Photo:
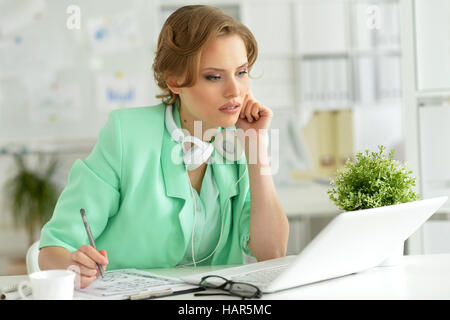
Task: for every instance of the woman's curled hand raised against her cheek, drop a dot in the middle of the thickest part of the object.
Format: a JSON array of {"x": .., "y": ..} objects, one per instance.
[{"x": 253, "y": 115}]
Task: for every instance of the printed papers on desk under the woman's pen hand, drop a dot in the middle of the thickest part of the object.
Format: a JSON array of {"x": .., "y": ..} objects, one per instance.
[{"x": 120, "y": 284}]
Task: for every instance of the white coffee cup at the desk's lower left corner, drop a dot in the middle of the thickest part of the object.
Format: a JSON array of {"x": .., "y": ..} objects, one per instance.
[{"x": 49, "y": 285}]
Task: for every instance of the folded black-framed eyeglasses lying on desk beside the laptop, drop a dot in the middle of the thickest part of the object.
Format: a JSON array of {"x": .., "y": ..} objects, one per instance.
[{"x": 236, "y": 289}]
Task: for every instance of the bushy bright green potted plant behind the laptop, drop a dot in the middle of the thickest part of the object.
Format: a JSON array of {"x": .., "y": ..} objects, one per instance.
[{"x": 374, "y": 179}]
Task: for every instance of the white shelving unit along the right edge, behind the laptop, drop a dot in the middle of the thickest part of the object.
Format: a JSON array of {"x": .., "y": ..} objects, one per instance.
[{"x": 426, "y": 102}]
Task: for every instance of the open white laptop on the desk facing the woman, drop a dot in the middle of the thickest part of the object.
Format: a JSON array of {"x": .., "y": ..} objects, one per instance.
[{"x": 352, "y": 242}]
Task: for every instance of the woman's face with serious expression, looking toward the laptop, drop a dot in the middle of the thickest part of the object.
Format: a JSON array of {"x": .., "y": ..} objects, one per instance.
[{"x": 222, "y": 78}]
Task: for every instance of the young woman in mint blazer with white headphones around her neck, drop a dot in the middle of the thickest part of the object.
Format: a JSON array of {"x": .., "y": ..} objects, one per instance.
[{"x": 145, "y": 208}]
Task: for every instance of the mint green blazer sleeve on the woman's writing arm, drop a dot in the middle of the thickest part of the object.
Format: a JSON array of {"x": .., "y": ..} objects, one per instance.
[{"x": 94, "y": 185}]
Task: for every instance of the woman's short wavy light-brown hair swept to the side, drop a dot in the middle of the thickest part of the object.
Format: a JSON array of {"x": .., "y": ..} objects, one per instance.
[{"x": 182, "y": 38}]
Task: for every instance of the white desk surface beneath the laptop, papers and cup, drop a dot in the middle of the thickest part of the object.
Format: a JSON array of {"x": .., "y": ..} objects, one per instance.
[{"x": 418, "y": 277}]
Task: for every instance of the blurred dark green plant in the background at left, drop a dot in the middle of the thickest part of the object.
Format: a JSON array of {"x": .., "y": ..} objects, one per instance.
[{"x": 31, "y": 195}]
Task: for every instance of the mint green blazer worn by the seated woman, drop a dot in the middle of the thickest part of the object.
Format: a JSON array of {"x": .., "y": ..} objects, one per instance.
[{"x": 138, "y": 201}]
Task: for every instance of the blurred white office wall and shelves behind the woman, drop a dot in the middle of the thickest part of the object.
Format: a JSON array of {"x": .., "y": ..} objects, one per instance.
[{"x": 340, "y": 75}]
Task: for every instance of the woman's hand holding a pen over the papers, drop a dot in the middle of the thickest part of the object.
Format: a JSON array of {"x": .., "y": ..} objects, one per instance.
[{"x": 85, "y": 260}]
